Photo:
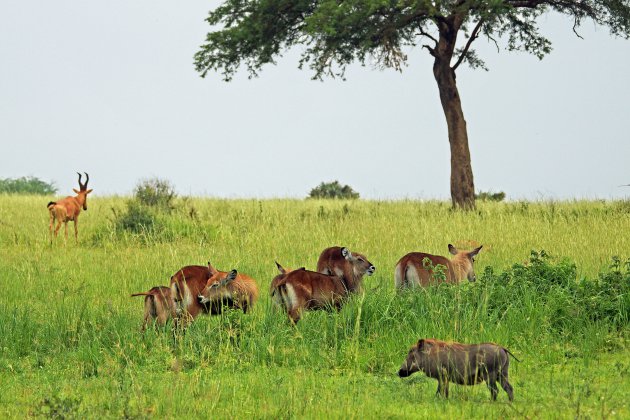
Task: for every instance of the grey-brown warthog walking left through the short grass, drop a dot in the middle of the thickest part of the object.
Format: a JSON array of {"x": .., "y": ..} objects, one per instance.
[{"x": 464, "y": 364}]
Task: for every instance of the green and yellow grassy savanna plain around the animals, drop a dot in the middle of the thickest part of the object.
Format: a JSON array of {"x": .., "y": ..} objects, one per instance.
[{"x": 69, "y": 332}]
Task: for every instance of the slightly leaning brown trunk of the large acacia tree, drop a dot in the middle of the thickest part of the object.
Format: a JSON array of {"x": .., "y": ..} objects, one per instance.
[{"x": 462, "y": 185}]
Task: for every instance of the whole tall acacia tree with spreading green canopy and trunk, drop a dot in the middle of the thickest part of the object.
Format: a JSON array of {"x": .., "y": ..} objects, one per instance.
[{"x": 335, "y": 33}]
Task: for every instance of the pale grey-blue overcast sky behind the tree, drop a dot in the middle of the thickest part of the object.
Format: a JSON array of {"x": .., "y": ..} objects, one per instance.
[{"x": 109, "y": 88}]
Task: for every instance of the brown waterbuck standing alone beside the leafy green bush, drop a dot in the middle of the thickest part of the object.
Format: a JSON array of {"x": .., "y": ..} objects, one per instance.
[{"x": 418, "y": 268}]
